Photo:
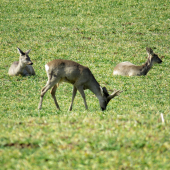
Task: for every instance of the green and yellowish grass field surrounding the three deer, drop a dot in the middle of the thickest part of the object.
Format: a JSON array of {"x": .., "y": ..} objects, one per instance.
[{"x": 99, "y": 34}]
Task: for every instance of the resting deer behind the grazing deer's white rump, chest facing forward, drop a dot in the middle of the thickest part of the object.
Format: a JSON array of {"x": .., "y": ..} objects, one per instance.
[{"x": 23, "y": 66}]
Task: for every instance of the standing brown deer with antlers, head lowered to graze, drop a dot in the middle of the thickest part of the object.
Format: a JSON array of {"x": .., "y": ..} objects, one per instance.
[{"x": 79, "y": 76}]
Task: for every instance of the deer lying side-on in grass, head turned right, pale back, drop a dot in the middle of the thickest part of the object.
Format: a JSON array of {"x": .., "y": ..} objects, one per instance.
[{"x": 128, "y": 69}]
